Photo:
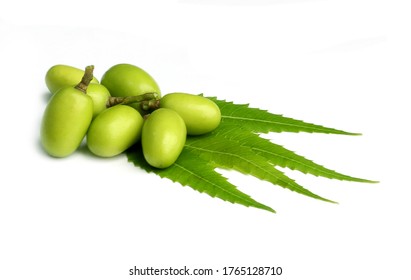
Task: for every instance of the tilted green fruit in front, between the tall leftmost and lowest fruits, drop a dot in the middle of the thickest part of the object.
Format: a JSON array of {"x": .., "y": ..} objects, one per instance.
[{"x": 114, "y": 130}]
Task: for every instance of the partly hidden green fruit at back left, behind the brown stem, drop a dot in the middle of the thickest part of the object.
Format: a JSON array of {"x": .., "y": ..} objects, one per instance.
[{"x": 59, "y": 76}]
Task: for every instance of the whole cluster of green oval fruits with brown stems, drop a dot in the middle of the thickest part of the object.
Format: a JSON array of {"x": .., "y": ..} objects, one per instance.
[{"x": 124, "y": 108}]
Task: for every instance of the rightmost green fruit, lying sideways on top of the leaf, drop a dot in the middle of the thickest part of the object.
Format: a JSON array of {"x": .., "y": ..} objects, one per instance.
[{"x": 200, "y": 114}]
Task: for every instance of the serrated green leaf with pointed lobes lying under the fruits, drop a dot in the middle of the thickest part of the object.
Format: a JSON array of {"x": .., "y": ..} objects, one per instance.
[{"x": 235, "y": 145}]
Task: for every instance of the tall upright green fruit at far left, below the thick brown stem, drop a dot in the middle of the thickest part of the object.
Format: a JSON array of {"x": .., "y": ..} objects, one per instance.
[{"x": 65, "y": 121}]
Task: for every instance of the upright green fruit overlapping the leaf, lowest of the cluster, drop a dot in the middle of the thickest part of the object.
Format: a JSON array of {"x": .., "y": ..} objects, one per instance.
[{"x": 163, "y": 137}]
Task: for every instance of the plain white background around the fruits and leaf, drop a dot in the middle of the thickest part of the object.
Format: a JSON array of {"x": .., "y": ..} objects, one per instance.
[{"x": 344, "y": 64}]
